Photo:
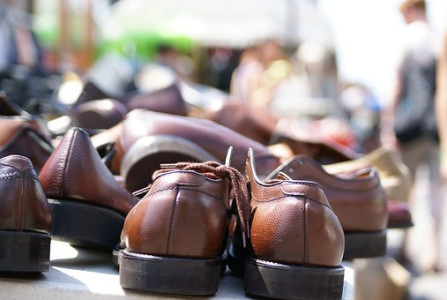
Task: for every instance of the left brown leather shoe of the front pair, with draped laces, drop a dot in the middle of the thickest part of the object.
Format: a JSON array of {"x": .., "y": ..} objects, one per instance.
[{"x": 175, "y": 237}]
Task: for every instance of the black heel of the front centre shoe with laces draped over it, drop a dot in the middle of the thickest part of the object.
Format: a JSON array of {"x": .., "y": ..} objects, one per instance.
[{"x": 158, "y": 274}]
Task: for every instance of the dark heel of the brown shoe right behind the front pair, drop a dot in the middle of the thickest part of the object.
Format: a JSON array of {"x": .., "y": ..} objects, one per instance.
[{"x": 364, "y": 244}]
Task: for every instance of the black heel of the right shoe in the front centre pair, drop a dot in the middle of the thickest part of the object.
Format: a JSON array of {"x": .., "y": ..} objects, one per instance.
[{"x": 274, "y": 280}]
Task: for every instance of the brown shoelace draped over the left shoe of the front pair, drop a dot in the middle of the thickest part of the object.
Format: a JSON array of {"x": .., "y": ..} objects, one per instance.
[{"x": 214, "y": 170}]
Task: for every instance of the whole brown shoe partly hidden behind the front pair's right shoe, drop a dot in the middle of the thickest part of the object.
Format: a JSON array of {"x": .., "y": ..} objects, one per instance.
[{"x": 358, "y": 200}]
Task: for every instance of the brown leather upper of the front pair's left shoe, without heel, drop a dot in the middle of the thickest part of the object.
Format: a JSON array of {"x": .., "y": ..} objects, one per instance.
[{"x": 184, "y": 214}]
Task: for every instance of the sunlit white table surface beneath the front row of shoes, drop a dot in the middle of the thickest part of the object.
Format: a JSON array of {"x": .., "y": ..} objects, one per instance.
[{"x": 78, "y": 273}]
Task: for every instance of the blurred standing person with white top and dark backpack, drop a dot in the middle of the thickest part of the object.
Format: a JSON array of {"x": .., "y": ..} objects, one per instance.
[{"x": 408, "y": 123}]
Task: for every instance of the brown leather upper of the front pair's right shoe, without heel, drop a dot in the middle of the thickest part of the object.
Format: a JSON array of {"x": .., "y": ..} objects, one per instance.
[{"x": 292, "y": 222}]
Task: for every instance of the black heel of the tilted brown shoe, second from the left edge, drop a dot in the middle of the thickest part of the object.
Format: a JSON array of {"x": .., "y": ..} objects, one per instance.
[{"x": 85, "y": 225}]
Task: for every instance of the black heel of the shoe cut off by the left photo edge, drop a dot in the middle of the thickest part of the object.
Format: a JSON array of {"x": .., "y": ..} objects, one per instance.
[{"x": 24, "y": 251}]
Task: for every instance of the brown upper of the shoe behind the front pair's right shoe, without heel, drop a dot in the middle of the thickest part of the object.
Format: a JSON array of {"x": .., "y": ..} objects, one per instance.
[{"x": 358, "y": 200}]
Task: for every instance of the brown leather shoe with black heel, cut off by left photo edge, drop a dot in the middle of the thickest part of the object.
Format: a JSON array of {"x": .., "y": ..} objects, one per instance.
[{"x": 25, "y": 221}]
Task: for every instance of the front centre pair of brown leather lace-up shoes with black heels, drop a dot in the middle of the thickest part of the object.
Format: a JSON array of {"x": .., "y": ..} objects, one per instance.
[{"x": 176, "y": 237}]
